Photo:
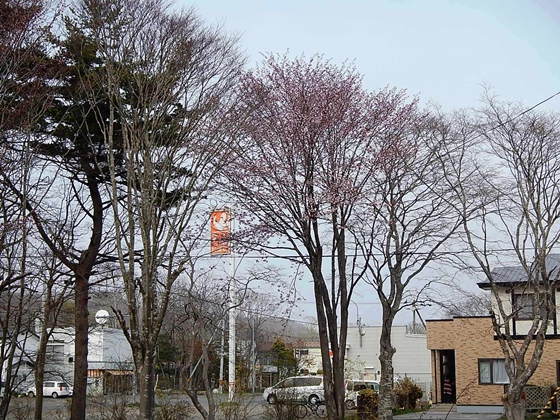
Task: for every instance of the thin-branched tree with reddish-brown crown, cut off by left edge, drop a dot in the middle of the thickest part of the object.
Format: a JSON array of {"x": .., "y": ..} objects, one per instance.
[{"x": 24, "y": 25}]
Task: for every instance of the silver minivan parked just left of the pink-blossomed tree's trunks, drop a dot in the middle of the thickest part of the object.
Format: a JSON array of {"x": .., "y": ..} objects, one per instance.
[{"x": 305, "y": 388}]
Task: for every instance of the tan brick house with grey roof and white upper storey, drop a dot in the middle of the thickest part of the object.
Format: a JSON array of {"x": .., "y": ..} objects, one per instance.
[{"x": 467, "y": 363}]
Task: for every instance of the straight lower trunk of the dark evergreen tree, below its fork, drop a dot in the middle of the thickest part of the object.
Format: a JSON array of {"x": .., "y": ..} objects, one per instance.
[{"x": 81, "y": 323}]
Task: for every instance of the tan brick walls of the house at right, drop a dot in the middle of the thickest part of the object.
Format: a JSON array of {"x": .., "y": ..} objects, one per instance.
[{"x": 473, "y": 339}]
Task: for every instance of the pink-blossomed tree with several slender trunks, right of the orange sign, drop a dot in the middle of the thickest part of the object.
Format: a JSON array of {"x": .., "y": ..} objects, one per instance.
[{"x": 301, "y": 168}]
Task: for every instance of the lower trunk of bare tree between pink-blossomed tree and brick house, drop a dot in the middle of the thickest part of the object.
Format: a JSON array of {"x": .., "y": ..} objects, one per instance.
[{"x": 386, "y": 351}]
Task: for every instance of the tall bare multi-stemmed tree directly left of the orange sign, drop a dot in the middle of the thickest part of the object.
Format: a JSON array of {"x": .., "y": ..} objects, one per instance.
[{"x": 169, "y": 80}]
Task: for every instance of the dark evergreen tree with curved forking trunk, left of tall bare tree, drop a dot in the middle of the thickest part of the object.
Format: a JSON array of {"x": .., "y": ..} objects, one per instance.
[{"x": 51, "y": 102}]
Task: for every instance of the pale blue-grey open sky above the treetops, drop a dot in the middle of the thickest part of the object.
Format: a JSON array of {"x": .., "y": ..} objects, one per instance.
[{"x": 444, "y": 51}]
